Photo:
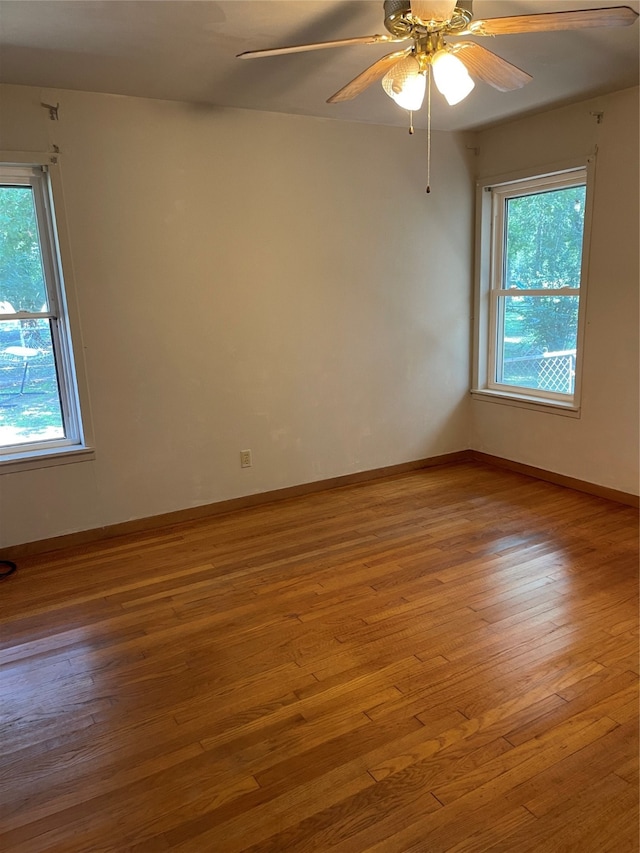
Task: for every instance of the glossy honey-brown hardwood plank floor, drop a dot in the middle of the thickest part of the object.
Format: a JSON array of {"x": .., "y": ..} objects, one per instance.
[{"x": 445, "y": 660}]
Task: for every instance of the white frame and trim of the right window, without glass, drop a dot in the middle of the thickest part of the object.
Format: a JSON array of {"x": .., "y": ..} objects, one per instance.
[{"x": 492, "y": 196}]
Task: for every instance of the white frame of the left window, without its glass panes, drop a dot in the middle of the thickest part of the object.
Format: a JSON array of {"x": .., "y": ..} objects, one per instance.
[{"x": 41, "y": 172}]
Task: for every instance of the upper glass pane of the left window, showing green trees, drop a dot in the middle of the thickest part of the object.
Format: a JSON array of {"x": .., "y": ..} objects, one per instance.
[{"x": 22, "y": 285}]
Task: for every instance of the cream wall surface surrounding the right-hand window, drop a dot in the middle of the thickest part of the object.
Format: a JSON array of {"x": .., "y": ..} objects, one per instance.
[{"x": 601, "y": 446}]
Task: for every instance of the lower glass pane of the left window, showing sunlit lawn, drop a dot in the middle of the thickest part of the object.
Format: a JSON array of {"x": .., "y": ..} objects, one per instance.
[{"x": 30, "y": 408}]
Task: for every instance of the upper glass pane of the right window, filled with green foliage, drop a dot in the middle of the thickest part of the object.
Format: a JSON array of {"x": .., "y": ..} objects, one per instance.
[{"x": 544, "y": 239}]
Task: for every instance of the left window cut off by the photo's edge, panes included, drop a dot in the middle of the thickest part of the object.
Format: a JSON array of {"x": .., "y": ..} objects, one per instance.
[{"x": 39, "y": 401}]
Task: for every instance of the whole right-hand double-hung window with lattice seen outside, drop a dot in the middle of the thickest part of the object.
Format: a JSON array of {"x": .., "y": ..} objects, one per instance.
[{"x": 531, "y": 274}]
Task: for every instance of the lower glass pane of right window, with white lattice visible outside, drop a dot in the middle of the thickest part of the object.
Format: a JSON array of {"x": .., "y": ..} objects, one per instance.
[{"x": 539, "y": 342}]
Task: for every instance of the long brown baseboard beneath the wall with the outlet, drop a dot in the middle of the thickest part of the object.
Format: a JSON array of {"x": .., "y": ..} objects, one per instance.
[{"x": 142, "y": 525}]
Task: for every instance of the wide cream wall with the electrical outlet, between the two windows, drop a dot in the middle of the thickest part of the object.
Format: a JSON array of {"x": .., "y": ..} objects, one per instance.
[{"x": 248, "y": 280}]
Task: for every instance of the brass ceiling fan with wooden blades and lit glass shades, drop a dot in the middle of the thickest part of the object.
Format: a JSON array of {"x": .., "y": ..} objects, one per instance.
[{"x": 426, "y": 23}]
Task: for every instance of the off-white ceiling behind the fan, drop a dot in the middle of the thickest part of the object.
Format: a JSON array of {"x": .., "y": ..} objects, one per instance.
[{"x": 184, "y": 50}]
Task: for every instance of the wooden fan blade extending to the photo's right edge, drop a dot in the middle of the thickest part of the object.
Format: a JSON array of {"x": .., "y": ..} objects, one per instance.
[{"x": 616, "y": 16}]
